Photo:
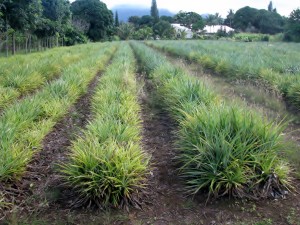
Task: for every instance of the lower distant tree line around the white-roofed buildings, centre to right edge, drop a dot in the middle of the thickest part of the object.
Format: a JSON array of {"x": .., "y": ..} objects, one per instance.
[{"x": 246, "y": 19}]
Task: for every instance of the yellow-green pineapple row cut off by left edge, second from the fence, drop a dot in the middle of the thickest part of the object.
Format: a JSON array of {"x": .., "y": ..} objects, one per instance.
[{"x": 25, "y": 124}]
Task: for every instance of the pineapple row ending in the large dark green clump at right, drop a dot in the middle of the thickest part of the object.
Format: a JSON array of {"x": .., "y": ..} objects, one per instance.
[{"x": 221, "y": 148}]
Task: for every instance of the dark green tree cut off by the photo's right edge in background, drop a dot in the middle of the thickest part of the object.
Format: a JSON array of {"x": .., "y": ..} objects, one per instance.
[{"x": 292, "y": 32}]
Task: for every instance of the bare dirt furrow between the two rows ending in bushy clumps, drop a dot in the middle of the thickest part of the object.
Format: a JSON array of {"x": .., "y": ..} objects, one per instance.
[{"x": 165, "y": 189}]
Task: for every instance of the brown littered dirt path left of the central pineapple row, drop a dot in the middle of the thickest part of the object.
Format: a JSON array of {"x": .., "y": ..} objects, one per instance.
[{"x": 41, "y": 186}]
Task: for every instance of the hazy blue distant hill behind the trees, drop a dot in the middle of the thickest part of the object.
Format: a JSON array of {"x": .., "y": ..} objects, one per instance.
[{"x": 125, "y": 11}]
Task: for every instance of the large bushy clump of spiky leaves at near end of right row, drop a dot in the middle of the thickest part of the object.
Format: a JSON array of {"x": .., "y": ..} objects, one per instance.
[{"x": 229, "y": 151}]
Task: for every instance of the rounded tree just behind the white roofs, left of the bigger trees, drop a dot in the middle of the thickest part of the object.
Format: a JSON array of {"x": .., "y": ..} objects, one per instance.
[{"x": 189, "y": 19}]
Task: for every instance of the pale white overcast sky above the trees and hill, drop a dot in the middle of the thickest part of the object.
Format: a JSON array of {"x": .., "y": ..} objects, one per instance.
[{"x": 284, "y": 7}]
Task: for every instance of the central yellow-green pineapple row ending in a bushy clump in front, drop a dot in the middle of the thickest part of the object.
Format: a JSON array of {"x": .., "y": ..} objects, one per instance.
[{"x": 107, "y": 165}]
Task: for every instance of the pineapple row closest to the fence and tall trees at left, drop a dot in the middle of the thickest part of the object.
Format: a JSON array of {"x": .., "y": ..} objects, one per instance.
[{"x": 23, "y": 74}]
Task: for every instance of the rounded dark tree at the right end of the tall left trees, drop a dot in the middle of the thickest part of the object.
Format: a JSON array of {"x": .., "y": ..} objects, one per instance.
[{"x": 96, "y": 15}]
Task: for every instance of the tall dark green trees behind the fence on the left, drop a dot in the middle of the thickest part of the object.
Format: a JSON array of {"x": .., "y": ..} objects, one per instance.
[{"x": 27, "y": 25}]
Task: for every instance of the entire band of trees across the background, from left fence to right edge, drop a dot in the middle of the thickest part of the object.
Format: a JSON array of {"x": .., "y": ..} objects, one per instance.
[{"x": 27, "y": 25}]
